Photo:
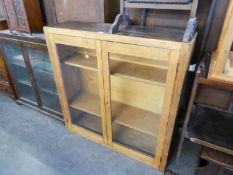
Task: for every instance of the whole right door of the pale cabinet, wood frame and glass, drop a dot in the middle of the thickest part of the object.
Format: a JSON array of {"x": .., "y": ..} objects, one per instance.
[{"x": 138, "y": 86}]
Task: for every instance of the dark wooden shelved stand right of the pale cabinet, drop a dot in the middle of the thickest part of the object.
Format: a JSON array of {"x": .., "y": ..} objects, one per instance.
[{"x": 202, "y": 98}]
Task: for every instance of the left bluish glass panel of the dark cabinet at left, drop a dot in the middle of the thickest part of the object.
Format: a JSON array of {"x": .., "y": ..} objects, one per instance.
[{"x": 18, "y": 72}]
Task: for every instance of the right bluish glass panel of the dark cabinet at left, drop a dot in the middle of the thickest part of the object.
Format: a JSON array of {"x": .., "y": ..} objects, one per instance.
[{"x": 43, "y": 75}]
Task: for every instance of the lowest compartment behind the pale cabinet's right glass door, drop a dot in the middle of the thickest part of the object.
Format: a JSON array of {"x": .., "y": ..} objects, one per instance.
[{"x": 134, "y": 139}]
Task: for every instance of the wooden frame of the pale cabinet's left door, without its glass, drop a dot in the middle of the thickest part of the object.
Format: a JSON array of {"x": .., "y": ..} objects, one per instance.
[{"x": 52, "y": 40}]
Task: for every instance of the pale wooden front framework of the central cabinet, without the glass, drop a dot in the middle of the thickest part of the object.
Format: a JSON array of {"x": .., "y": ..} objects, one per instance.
[{"x": 177, "y": 54}]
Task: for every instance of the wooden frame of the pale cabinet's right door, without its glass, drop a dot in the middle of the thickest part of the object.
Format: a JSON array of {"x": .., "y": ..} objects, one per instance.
[{"x": 173, "y": 58}]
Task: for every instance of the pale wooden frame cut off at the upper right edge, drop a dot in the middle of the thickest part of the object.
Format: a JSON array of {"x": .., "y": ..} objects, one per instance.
[{"x": 223, "y": 52}]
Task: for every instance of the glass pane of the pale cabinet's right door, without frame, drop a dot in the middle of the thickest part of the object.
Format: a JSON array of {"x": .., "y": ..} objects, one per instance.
[{"x": 137, "y": 93}]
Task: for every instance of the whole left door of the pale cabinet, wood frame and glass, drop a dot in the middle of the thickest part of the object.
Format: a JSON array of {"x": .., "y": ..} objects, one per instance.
[{"x": 79, "y": 63}]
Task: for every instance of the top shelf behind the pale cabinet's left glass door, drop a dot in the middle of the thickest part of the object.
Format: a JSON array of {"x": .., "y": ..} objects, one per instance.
[{"x": 83, "y": 61}]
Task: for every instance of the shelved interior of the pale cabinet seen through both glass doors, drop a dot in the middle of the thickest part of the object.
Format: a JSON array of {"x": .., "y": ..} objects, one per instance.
[{"x": 137, "y": 88}]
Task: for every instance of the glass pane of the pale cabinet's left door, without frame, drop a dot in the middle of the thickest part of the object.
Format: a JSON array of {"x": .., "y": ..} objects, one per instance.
[{"x": 80, "y": 76}]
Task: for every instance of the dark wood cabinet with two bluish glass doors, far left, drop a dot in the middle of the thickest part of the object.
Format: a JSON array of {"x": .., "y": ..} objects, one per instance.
[{"x": 30, "y": 69}]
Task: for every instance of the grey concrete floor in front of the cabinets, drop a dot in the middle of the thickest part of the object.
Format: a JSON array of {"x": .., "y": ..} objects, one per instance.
[{"x": 33, "y": 143}]
